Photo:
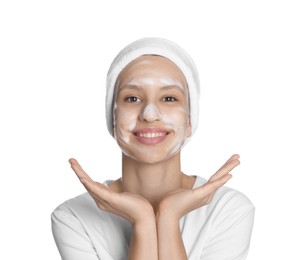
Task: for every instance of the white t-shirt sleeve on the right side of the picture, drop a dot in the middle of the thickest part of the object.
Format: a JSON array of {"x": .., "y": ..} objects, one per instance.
[{"x": 232, "y": 229}]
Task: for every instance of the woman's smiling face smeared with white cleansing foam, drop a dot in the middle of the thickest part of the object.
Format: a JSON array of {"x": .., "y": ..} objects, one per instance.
[{"x": 151, "y": 114}]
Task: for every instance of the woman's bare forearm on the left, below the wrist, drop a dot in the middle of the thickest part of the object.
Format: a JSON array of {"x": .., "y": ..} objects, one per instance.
[{"x": 144, "y": 241}]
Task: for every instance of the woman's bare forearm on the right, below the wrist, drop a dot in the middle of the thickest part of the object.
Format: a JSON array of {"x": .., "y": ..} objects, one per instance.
[{"x": 170, "y": 243}]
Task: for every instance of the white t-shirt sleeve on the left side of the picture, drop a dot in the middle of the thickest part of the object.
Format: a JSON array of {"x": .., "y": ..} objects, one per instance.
[{"x": 70, "y": 236}]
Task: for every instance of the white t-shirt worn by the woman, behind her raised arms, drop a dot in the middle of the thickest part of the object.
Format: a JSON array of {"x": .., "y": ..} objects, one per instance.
[{"x": 220, "y": 230}]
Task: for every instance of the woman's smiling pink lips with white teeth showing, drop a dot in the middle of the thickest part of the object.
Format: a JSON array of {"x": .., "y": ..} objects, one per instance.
[{"x": 150, "y": 135}]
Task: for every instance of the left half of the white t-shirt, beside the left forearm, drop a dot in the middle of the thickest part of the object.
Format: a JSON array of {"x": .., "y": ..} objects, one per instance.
[{"x": 82, "y": 231}]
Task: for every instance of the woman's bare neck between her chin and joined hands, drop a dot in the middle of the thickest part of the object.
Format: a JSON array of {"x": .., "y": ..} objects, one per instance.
[{"x": 152, "y": 181}]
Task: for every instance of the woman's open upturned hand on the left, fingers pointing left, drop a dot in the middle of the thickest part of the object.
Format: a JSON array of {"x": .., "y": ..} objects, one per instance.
[{"x": 131, "y": 207}]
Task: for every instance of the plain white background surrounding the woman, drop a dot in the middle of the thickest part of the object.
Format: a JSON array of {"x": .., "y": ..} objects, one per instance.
[{"x": 54, "y": 56}]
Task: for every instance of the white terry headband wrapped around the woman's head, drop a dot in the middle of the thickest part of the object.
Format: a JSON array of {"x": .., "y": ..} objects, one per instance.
[{"x": 161, "y": 47}]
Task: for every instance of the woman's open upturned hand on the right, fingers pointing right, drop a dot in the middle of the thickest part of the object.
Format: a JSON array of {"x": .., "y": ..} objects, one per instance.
[{"x": 180, "y": 202}]
